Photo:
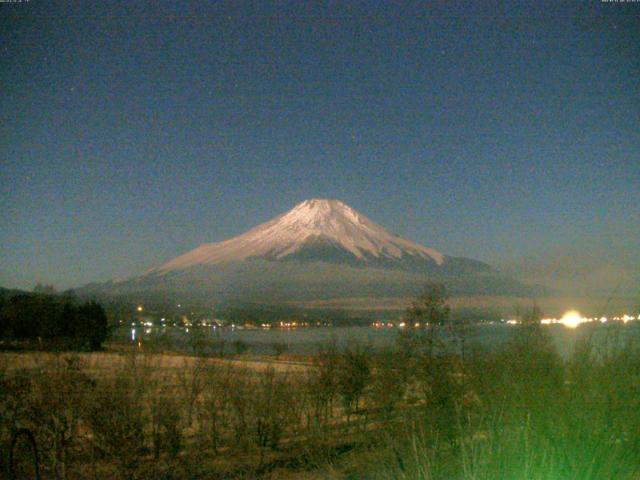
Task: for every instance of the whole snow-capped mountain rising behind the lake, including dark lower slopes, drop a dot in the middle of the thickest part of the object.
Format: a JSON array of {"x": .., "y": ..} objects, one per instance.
[{"x": 319, "y": 249}]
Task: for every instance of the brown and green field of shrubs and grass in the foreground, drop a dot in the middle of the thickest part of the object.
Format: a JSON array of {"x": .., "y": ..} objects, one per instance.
[{"x": 421, "y": 410}]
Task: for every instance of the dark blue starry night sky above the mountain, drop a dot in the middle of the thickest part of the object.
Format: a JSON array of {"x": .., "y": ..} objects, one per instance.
[{"x": 132, "y": 132}]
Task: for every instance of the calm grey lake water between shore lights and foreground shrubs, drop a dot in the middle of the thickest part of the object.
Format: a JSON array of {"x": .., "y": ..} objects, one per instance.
[{"x": 306, "y": 341}]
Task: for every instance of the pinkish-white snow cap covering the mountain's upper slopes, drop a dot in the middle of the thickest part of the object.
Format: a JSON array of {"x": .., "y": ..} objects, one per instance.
[{"x": 310, "y": 224}]
